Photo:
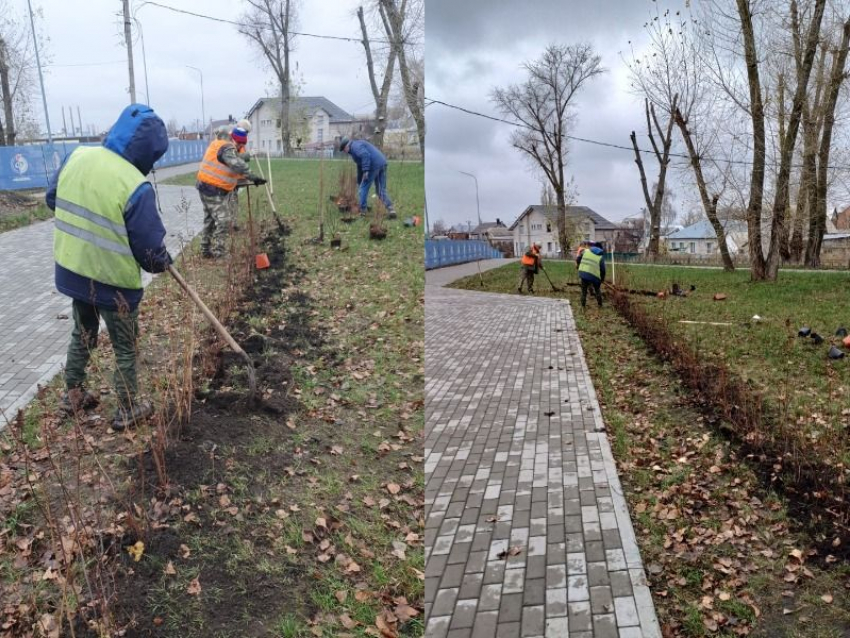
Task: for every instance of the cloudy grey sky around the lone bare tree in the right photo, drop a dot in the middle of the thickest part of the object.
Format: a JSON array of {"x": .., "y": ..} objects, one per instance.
[{"x": 475, "y": 45}]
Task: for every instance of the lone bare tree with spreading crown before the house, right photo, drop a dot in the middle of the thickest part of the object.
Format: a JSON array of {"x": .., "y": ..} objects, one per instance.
[{"x": 543, "y": 107}]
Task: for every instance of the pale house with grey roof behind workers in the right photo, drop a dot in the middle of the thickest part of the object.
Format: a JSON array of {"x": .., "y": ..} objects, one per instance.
[{"x": 537, "y": 224}]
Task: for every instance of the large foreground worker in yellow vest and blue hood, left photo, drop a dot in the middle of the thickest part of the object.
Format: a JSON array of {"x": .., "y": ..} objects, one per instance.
[{"x": 107, "y": 226}]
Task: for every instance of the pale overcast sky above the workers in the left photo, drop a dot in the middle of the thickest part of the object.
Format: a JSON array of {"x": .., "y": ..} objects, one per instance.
[{"x": 234, "y": 76}]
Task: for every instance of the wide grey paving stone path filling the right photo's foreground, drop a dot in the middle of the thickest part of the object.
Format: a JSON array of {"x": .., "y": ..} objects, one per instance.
[{"x": 516, "y": 457}]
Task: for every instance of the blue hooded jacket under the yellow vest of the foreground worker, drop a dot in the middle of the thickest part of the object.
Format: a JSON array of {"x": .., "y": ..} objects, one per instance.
[{"x": 140, "y": 137}]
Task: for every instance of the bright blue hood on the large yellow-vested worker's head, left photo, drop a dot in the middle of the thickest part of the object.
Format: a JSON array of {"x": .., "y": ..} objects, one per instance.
[{"x": 139, "y": 136}]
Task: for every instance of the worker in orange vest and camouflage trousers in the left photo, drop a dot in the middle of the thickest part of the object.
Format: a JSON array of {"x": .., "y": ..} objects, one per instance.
[{"x": 221, "y": 169}]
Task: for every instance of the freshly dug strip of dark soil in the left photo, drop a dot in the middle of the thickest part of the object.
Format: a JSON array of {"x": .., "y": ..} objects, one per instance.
[{"x": 217, "y": 438}]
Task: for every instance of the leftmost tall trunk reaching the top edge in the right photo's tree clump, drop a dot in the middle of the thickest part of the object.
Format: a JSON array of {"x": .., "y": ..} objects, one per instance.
[{"x": 754, "y": 208}]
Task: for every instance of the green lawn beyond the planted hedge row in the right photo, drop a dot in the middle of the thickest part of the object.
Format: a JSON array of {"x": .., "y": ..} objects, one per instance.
[{"x": 766, "y": 353}]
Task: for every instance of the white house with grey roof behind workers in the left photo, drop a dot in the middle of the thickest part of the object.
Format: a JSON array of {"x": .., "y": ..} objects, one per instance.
[{"x": 316, "y": 122}]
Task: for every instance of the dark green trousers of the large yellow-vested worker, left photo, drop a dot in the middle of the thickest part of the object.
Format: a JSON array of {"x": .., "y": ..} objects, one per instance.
[{"x": 123, "y": 327}]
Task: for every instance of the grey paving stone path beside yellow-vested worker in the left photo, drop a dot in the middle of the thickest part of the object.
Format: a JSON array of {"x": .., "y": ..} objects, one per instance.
[{"x": 35, "y": 319}]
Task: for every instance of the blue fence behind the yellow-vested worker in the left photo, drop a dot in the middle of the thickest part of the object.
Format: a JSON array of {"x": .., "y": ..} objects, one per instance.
[{"x": 23, "y": 167}]
